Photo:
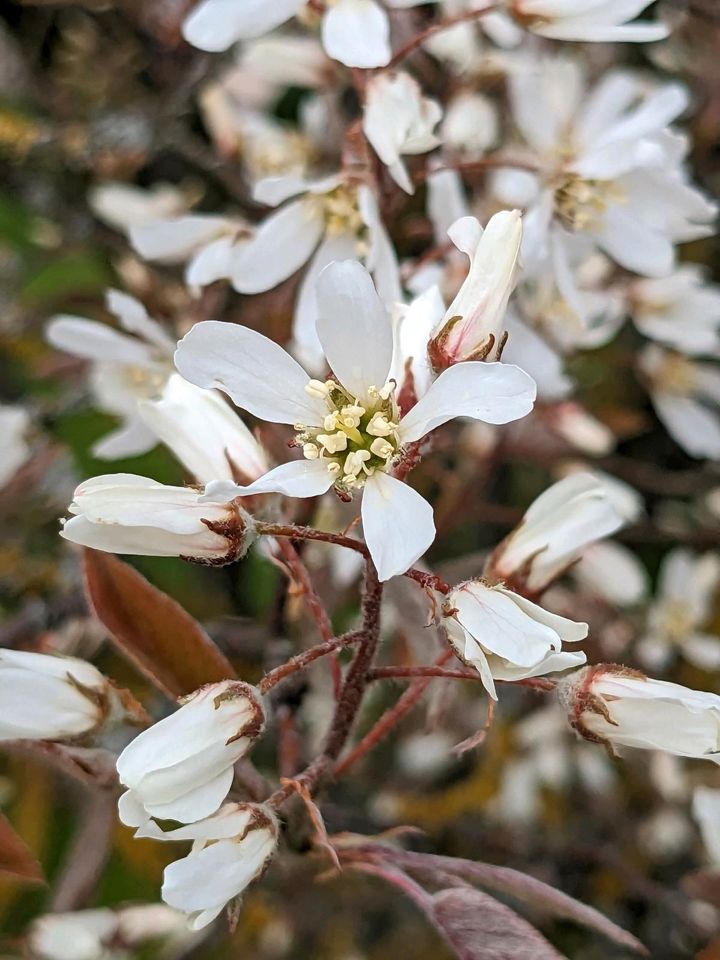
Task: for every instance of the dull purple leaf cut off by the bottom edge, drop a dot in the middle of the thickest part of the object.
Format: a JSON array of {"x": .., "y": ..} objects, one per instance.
[{"x": 478, "y": 927}]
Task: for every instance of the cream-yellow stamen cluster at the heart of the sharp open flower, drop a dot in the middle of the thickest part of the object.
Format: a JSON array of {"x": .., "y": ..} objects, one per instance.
[{"x": 359, "y": 435}]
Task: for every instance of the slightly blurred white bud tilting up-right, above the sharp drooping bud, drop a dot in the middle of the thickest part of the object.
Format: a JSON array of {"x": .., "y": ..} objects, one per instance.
[{"x": 568, "y": 516}]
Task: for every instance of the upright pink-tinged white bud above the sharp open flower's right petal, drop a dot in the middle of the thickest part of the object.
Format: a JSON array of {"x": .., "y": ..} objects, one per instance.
[{"x": 473, "y": 325}]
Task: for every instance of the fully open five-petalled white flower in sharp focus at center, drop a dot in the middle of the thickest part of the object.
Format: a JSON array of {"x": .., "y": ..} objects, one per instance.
[{"x": 349, "y": 428}]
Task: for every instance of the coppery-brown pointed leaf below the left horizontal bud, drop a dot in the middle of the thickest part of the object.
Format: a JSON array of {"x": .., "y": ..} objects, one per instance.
[{"x": 162, "y": 640}]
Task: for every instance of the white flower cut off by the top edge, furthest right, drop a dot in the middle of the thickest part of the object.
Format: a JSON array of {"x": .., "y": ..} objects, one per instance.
[{"x": 588, "y": 20}]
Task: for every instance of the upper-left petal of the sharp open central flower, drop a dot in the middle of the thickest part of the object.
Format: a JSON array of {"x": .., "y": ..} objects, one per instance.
[{"x": 254, "y": 371}]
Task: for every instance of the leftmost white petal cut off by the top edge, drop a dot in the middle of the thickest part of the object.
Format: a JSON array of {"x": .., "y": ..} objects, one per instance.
[{"x": 216, "y": 24}]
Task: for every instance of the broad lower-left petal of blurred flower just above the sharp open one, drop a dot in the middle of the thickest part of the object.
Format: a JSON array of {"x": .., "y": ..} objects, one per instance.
[{"x": 282, "y": 244}]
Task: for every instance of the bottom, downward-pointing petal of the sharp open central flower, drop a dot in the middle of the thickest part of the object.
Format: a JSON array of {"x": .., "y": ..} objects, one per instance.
[{"x": 397, "y": 523}]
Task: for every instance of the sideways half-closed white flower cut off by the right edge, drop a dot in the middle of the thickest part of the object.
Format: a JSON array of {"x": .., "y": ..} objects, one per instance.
[{"x": 621, "y": 707}]
